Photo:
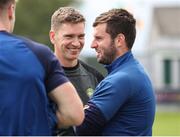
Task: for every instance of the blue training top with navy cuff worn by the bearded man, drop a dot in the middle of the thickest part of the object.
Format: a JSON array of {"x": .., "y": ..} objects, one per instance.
[{"x": 123, "y": 104}]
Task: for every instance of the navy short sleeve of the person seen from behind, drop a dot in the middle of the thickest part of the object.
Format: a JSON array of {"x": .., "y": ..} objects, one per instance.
[{"x": 54, "y": 73}]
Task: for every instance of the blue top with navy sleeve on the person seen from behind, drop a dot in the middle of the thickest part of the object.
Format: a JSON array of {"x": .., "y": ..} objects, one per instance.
[{"x": 28, "y": 72}]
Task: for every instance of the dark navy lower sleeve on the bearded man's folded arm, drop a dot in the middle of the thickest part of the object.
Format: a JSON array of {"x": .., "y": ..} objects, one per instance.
[{"x": 93, "y": 123}]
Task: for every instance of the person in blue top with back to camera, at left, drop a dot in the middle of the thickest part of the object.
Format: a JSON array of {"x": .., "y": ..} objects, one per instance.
[{"x": 31, "y": 76}]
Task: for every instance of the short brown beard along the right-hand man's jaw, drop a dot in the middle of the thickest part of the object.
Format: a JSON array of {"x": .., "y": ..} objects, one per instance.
[{"x": 109, "y": 54}]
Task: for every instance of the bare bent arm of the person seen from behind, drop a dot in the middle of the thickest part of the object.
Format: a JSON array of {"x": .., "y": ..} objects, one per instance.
[{"x": 70, "y": 108}]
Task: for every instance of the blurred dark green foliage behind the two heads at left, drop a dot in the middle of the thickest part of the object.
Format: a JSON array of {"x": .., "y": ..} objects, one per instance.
[{"x": 33, "y": 18}]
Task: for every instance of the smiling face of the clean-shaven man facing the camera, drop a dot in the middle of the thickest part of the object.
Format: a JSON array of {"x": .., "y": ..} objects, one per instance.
[{"x": 68, "y": 42}]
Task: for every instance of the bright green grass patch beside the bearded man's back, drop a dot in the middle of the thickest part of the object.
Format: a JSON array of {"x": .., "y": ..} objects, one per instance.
[{"x": 167, "y": 124}]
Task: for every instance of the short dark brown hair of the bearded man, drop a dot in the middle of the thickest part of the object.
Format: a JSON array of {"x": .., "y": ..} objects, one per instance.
[{"x": 119, "y": 21}]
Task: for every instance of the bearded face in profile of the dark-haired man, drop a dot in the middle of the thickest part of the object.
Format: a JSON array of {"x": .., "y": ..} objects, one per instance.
[{"x": 104, "y": 45}]
